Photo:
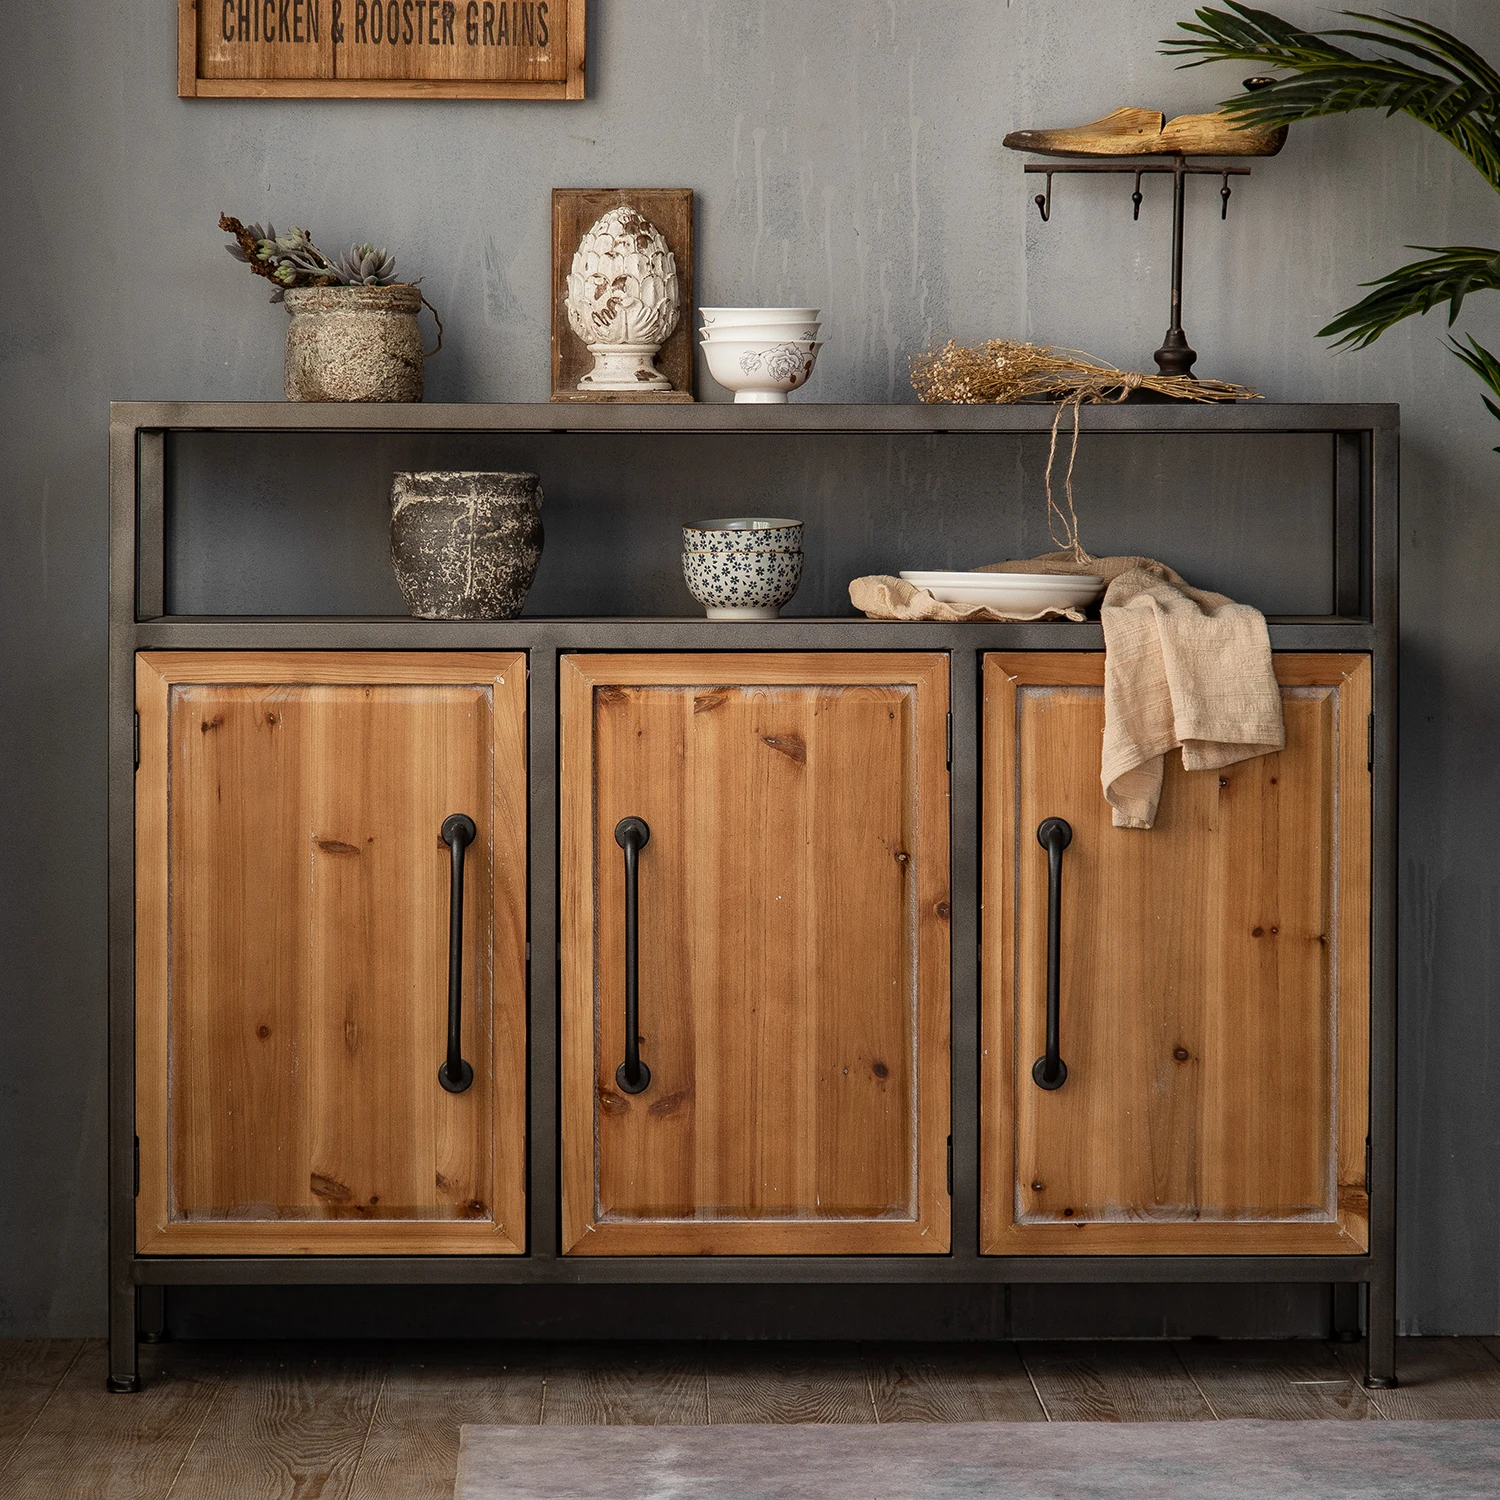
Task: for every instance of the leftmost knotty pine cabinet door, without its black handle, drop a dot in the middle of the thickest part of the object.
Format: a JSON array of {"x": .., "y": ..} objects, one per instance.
[{"x": 293, "y": 953}]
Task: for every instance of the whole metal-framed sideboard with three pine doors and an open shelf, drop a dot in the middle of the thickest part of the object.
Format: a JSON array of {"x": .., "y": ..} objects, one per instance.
[{"x": 619, "y": 949}]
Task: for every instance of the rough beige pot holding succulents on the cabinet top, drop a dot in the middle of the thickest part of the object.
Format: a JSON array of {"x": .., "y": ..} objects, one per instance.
[{"x": 355, "y": 344}]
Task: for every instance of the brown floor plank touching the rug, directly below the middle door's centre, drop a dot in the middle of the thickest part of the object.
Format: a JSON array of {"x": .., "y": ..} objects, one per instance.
[{"x": 788, "y": 1384}]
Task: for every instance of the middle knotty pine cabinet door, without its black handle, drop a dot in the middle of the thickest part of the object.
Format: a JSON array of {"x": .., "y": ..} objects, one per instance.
[{"x": 793, "y": 955}]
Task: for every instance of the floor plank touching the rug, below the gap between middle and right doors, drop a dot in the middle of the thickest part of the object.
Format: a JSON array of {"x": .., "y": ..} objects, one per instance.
[{"x": 946, "y": 1384}]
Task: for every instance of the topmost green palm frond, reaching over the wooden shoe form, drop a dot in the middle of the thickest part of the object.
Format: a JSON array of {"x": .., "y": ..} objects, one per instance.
[{"x": 1423, "y": 71}]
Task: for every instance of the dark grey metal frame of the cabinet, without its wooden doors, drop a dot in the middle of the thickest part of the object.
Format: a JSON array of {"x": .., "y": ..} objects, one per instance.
[{"x": 1363, "y": 488}]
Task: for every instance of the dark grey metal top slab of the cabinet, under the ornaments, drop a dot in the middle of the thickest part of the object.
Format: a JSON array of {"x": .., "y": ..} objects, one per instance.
[{"x": 1246, "y": 416}]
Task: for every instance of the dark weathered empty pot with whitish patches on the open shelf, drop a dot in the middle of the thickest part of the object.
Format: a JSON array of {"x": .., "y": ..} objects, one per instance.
[{"x": 466, "y": 547}]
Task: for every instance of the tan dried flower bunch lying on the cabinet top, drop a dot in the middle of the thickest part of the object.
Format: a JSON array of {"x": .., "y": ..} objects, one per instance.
[{"x": 1006, "y": 371}]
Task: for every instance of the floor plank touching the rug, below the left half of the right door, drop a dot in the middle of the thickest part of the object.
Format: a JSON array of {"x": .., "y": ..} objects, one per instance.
[{"x": 1124, "y": 1382}]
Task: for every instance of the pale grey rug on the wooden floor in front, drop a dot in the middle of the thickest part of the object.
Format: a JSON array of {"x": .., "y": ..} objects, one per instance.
[{"x": 988, "y": 1460}]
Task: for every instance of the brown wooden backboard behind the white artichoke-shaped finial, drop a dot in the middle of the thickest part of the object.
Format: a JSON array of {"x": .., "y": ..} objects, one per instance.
[{"x": 575, "y": 211}]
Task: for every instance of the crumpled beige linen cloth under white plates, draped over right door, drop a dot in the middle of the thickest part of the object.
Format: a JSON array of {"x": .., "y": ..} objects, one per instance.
[{"x": 1183, "y": 668}]
